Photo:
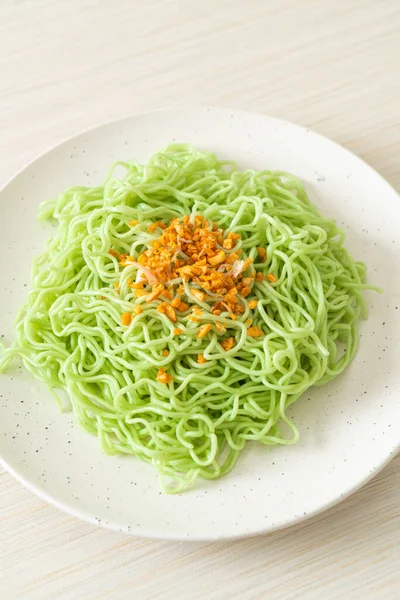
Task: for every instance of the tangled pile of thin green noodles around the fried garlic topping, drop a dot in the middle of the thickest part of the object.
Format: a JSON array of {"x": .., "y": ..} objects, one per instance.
[{"x": 70, "y": 336}]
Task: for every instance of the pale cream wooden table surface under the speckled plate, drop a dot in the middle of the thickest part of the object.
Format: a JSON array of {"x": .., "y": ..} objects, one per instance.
[{"x": 331, "y": 65}]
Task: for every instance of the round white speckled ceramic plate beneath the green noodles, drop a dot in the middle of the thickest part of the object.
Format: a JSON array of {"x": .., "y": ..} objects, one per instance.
[{"x": 349, "y": 429}]
